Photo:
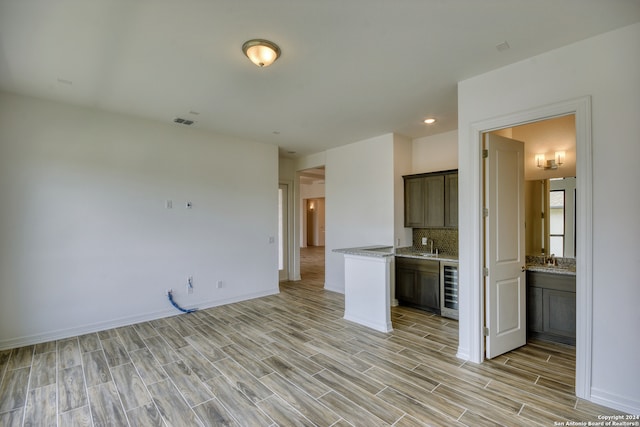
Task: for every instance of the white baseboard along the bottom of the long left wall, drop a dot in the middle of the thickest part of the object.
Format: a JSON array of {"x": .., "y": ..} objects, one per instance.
[{"x": 123, "y": 321}]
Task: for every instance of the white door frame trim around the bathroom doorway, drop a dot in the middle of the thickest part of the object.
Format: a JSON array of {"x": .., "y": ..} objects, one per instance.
[{"x": 581, "y": 108}]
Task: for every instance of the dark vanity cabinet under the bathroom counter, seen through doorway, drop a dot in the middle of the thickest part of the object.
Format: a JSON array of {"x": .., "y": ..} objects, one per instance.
[{"x": 551, "y": 307}]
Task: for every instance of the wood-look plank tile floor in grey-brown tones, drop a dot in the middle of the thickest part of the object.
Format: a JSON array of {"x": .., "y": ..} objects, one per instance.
[{"x": 290, "y": 360}]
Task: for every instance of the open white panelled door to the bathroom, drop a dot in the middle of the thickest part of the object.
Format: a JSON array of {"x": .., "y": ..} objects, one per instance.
[{"x": 505, "y": 288}]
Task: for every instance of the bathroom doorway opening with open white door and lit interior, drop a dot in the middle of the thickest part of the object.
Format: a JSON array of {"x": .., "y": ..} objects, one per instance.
[{"x": 546, "y": 216}]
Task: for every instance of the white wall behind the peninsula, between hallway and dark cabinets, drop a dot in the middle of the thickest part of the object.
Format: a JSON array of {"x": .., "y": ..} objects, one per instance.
[{"x": 359, "y": 201}]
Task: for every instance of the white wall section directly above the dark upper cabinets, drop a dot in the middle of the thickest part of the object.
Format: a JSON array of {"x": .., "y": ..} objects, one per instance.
[{"x": 435, "y": 153}]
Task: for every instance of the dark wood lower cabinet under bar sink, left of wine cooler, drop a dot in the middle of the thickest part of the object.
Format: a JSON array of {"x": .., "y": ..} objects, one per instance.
[{"x": 418, "y": 283}]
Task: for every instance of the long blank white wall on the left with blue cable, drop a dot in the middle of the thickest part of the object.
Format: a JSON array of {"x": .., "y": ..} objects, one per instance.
[{"x": 86, "y": 241}]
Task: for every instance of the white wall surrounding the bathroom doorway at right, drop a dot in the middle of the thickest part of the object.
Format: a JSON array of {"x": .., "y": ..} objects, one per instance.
[{"x": 607, "y": 69}]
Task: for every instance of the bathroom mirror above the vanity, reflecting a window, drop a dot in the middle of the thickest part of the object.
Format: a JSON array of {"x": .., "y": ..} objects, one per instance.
[{"x": 551, "y": 217}]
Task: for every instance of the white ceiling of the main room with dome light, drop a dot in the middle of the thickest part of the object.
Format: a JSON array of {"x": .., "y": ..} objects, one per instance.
[{"x": 349, "y": 70}]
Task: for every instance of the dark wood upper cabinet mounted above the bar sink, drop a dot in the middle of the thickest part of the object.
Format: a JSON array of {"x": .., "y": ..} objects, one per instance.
[{"x": 431, "y": 200}]
